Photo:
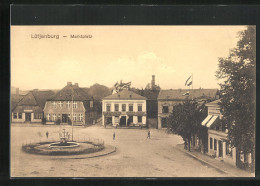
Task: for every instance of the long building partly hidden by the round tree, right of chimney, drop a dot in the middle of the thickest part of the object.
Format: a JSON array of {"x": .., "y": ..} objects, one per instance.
[{"x": 167, "y": 99}]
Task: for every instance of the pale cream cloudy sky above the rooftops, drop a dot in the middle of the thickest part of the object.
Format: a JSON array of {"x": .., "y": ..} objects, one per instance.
[{"x": 114, "y": 53}]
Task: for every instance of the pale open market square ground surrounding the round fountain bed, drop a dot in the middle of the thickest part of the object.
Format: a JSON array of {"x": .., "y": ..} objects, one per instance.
[{"x": 136, "y": 155}]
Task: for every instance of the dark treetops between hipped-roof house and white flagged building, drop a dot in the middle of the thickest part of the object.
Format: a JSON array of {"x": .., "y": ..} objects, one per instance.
[{"x": 98, "y": 91}]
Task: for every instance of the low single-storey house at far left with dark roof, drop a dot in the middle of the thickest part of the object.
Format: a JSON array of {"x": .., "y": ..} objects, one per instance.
[{"x": 30, "y": 107}]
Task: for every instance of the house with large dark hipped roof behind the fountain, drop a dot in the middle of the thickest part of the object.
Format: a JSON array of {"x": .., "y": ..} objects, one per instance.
[{"x": 71, "y": 102}]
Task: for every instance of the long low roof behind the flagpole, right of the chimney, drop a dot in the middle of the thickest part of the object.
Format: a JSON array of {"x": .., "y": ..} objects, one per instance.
[{"x": 177, "y": 94}]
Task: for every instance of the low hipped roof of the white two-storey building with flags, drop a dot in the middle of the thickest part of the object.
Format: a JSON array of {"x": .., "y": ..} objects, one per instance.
[{"x": 125, "y": 95}]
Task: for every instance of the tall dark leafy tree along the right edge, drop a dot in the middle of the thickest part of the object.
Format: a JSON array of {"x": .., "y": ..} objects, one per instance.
[{"x": 238, "y": 71}]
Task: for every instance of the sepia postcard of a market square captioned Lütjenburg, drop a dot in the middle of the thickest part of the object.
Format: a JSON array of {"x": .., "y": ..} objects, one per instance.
[{"x": 132, "y": 101}]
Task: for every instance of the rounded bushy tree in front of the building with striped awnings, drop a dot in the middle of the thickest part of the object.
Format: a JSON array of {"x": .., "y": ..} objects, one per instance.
[{"x": 186, "y": 120}]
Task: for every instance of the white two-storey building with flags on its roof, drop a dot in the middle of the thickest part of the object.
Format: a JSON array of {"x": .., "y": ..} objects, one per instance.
[{"x": 125, "y": 108}]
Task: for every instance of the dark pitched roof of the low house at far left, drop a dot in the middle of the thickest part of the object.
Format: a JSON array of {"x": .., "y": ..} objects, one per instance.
[{"x": 35, "y": 98}]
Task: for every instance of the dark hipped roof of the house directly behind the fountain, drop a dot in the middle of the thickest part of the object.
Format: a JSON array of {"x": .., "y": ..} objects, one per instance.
[{"x": 66, "y": 94}]
